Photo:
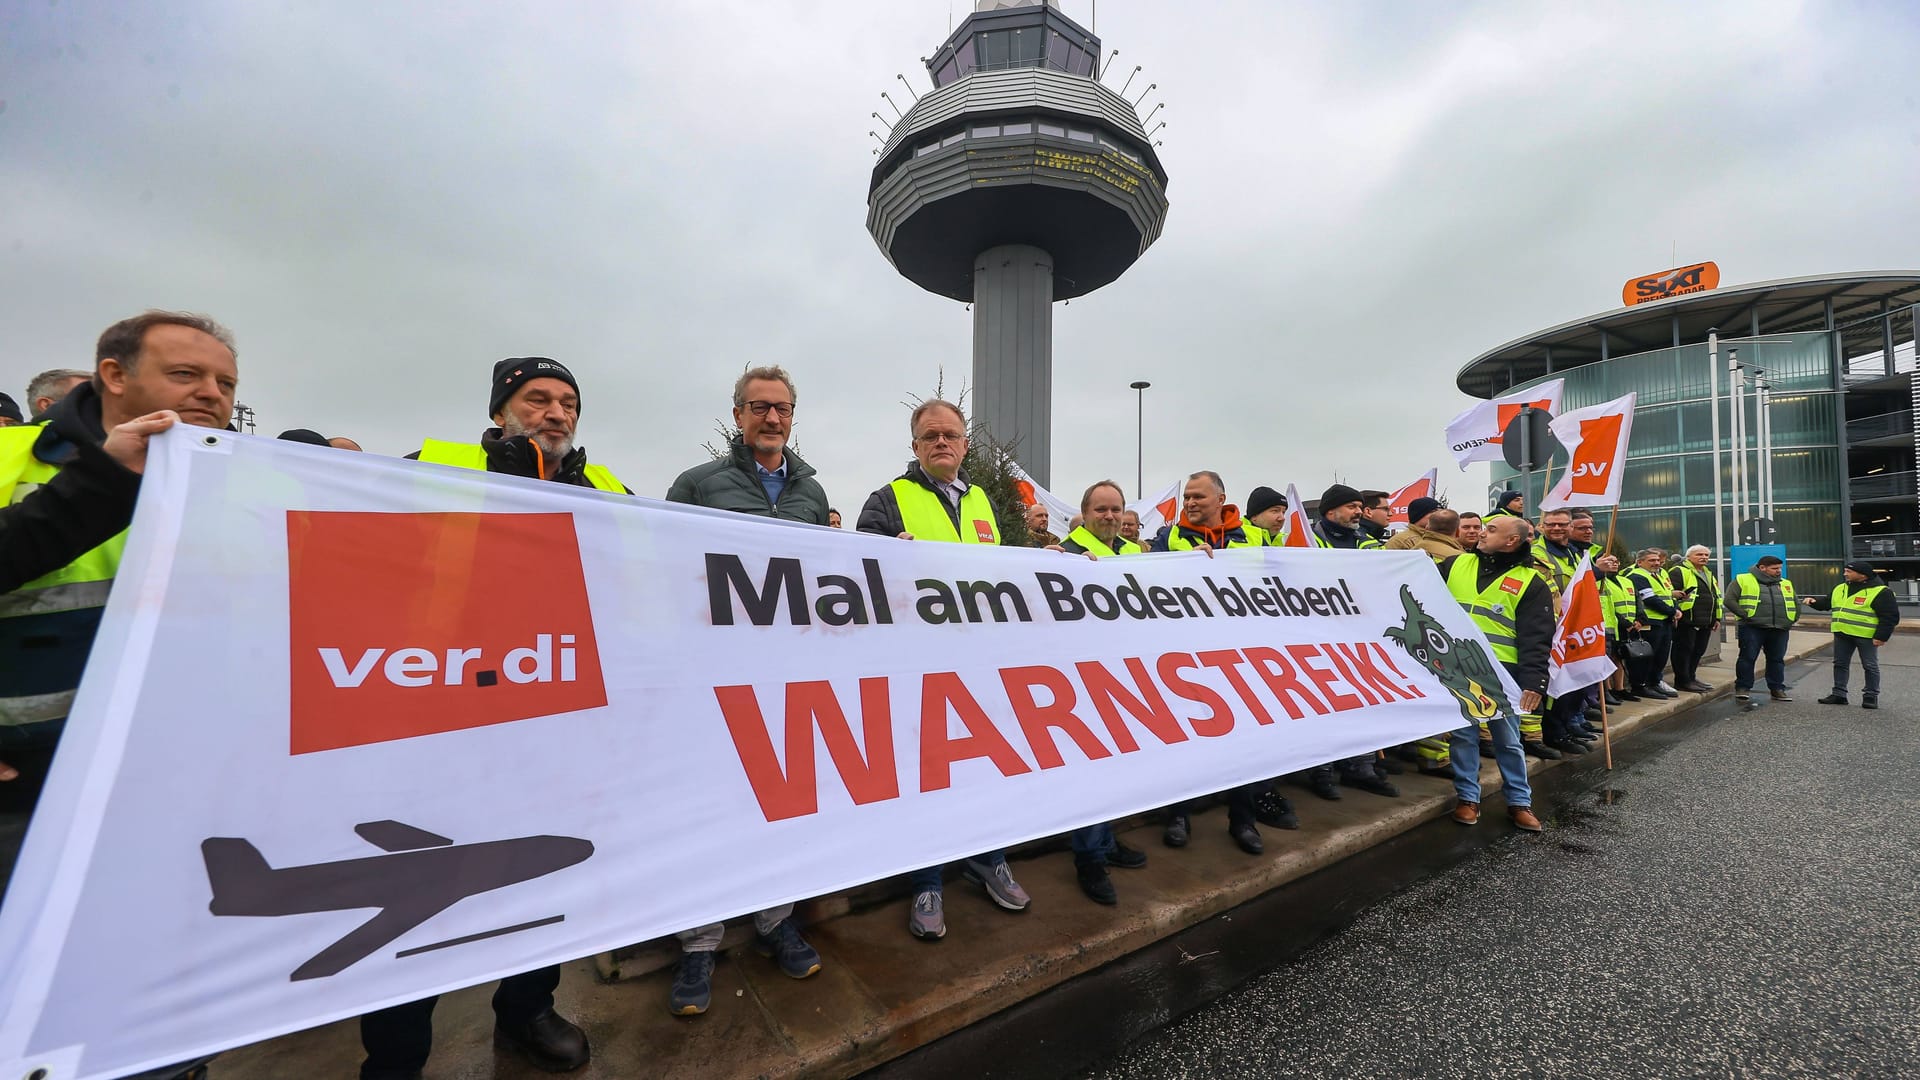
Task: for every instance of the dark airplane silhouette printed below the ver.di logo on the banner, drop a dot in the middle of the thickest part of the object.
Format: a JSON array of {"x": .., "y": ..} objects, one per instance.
[{"x": 420, "y": 877}]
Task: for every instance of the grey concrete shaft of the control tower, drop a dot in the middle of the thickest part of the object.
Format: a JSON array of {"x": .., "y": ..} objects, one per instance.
[{"x": 1015, "y": 353}]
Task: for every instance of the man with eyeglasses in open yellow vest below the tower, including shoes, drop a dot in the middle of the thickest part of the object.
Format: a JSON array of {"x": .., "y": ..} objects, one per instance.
[{"x": 934, "y": 501}]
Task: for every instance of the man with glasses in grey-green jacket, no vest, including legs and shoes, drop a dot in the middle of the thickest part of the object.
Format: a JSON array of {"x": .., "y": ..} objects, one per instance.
[{"x": 759, "y": 476}]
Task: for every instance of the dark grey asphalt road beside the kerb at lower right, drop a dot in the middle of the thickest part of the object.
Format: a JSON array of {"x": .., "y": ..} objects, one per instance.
[{"x": 1744, "y": 902}]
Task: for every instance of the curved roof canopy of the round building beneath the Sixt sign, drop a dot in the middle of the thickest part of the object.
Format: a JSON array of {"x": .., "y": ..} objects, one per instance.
[{"x": 1769, "y": 308}]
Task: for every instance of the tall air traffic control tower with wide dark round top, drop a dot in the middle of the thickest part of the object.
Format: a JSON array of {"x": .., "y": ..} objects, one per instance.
[{"x": 1020, "y": 180}]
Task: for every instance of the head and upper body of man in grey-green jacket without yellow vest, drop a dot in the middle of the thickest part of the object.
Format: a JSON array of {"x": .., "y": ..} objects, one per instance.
[{"x": 759, "y": 474}]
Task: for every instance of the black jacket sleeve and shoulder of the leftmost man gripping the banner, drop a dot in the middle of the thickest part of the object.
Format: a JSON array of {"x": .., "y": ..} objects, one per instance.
[{"x": 84, "y": 506}]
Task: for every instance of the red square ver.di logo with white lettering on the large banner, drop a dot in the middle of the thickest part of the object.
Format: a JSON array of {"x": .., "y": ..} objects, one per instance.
[{"x": 423, "y": 624}]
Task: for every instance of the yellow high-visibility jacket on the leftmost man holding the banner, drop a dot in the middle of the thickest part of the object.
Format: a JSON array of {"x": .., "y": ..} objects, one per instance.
[{"x": 51, "y": 622}]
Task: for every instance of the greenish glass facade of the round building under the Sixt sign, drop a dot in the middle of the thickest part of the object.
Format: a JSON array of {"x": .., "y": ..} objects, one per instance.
[{"x": 1668, "y": 499}]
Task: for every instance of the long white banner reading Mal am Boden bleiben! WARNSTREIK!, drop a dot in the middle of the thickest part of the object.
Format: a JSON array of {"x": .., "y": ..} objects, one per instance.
[{"x": 358, "y": 729}]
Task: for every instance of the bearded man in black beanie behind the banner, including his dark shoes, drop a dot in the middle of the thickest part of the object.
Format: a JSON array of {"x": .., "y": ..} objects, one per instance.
[{"x": 537, "y": 406}]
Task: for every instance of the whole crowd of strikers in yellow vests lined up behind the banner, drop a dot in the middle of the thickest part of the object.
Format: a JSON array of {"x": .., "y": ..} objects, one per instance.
[{"x": 72, "y": 472}]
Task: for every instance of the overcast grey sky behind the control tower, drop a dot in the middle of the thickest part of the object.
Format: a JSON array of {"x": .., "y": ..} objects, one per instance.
[{"x": 385, "y": 199}]
